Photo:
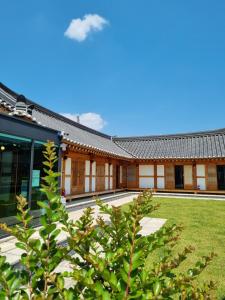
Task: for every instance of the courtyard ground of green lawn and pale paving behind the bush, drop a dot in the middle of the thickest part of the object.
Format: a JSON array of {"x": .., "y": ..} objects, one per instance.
[{"x": 203, "y": 221}]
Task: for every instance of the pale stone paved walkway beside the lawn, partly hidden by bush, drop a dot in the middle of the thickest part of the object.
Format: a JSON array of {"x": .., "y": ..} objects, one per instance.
[{"x": 8, "y": 248}]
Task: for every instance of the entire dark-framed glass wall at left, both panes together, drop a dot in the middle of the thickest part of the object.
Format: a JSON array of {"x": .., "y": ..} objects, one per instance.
[{"x": 15, "y": 179}]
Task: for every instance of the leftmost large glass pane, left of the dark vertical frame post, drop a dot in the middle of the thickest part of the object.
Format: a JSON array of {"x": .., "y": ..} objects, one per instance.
[{"x": 14, "y": 172}]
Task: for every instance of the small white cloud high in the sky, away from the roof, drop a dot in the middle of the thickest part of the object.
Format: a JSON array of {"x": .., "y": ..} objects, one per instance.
[{"x": 80, "y": 28}]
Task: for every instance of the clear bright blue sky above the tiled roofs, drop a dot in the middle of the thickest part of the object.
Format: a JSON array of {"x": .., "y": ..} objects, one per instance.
[{"x": 153, "y": 67}]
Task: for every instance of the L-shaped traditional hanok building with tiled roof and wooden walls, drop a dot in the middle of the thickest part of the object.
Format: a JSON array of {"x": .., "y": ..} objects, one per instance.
[{"x": 94, "y": 163}]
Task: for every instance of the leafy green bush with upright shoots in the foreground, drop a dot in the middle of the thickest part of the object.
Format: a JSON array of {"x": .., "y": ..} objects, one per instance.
[{"x": 107, "y": 256}]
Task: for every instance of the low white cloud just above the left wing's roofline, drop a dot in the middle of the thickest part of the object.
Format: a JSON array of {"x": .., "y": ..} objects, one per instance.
[{"x": 90, "y": 119}]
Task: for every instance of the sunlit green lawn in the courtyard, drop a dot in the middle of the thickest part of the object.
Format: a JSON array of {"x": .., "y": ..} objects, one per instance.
[{"x": 204, "y": 228}]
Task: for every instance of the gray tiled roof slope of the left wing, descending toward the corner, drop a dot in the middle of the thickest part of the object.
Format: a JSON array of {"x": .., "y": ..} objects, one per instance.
[{"x": 75, "y": 132}]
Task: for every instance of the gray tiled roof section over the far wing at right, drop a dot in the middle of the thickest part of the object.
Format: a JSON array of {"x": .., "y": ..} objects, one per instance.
[{"x": 208, "y": 144}]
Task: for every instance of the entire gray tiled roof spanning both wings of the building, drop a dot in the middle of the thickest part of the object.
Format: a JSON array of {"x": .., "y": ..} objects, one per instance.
[{"x": 207, "y": 144}]
